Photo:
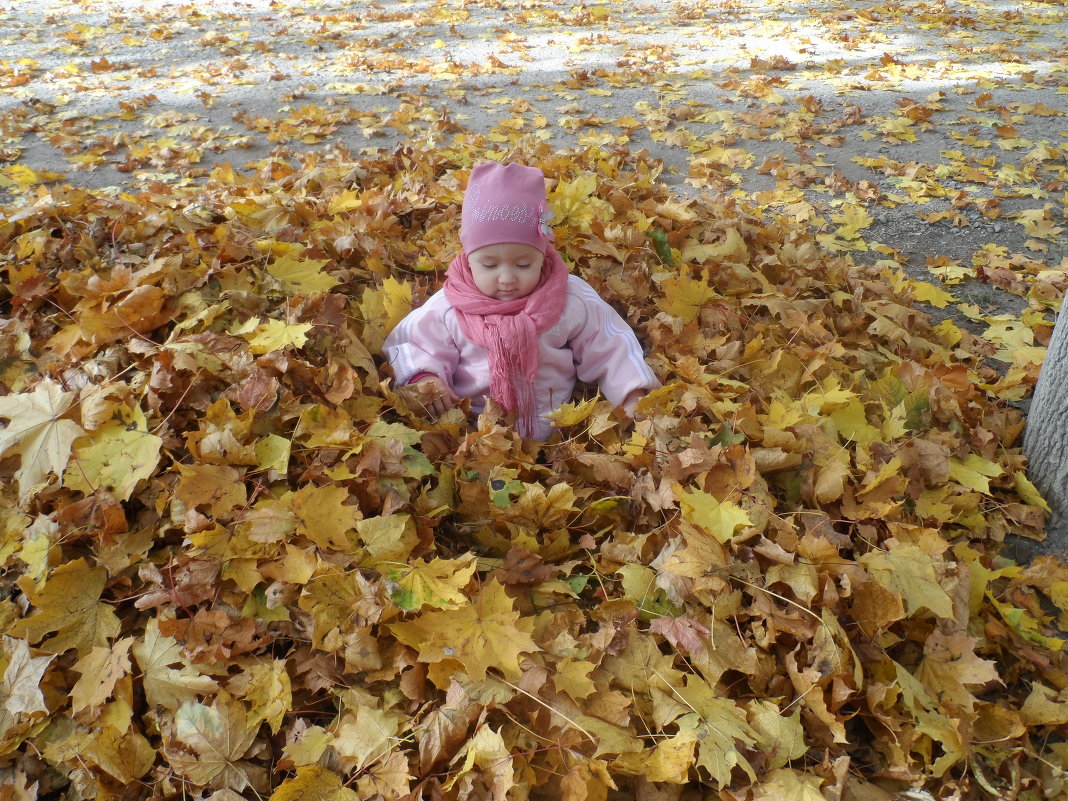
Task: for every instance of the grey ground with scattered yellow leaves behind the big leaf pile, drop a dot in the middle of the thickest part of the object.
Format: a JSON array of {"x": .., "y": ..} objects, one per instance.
[{"x": 923, "y": 136}]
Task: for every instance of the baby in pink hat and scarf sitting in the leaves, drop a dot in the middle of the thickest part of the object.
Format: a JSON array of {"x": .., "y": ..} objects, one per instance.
[{"x": 511, "y": 323}]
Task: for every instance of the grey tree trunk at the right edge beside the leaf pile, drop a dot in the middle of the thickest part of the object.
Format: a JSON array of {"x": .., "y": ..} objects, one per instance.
[{"x": 1046, "y": 441}]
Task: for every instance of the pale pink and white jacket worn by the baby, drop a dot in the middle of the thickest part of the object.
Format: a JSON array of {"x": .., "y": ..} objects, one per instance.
[{"x": 591, "y": 342}]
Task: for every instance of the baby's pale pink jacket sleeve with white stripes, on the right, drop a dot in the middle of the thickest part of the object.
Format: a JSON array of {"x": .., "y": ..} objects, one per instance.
[{"x": 607, "y": 352}]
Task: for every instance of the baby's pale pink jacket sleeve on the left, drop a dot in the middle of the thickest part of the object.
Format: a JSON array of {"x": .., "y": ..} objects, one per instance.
[{"x": 421, "y": 343}]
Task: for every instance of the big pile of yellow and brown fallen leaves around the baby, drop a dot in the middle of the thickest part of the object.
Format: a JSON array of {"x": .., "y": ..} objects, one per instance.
[{"x": 240, "y": 563}]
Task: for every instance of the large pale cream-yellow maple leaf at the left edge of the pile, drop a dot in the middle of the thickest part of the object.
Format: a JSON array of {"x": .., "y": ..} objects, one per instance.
[{"x": 38, "y": 432}]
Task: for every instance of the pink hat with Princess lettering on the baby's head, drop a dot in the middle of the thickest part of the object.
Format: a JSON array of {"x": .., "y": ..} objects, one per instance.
[{"x": 506, "y": 203}]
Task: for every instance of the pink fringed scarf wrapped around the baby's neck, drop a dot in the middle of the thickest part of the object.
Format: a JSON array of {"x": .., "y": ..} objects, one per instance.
[{"x": 510, "y": 329}]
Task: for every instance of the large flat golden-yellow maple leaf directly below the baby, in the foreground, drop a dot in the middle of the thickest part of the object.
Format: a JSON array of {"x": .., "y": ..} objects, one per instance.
[{"x": 486, "y": 633}]
